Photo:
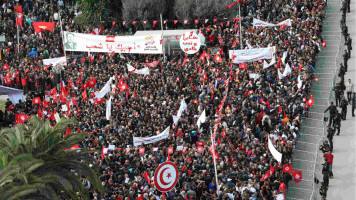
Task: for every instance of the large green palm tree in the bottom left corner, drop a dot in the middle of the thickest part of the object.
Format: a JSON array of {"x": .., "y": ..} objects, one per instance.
[{"x": 35, "y": 162}]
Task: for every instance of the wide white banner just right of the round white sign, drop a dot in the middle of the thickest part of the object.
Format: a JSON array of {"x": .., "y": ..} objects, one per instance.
[{"x": 251, "y": 55}]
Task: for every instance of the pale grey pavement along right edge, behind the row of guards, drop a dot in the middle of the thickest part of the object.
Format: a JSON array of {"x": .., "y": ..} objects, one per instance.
[{"x": 343, "y": 186}]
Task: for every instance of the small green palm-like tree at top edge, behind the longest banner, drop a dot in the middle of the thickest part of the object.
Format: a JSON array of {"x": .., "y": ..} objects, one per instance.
[{"x": 93, "y": 12}]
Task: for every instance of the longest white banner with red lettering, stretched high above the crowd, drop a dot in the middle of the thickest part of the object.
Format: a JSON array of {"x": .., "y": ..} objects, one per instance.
[{"x": 148, "y": 44}]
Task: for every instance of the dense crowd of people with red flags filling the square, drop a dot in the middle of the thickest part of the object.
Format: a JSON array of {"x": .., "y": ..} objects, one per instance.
[{"x": 254, "y": 108}]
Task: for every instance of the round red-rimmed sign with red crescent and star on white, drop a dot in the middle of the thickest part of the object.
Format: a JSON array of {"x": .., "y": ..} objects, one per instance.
[{"x": 166, "y": 176}]
